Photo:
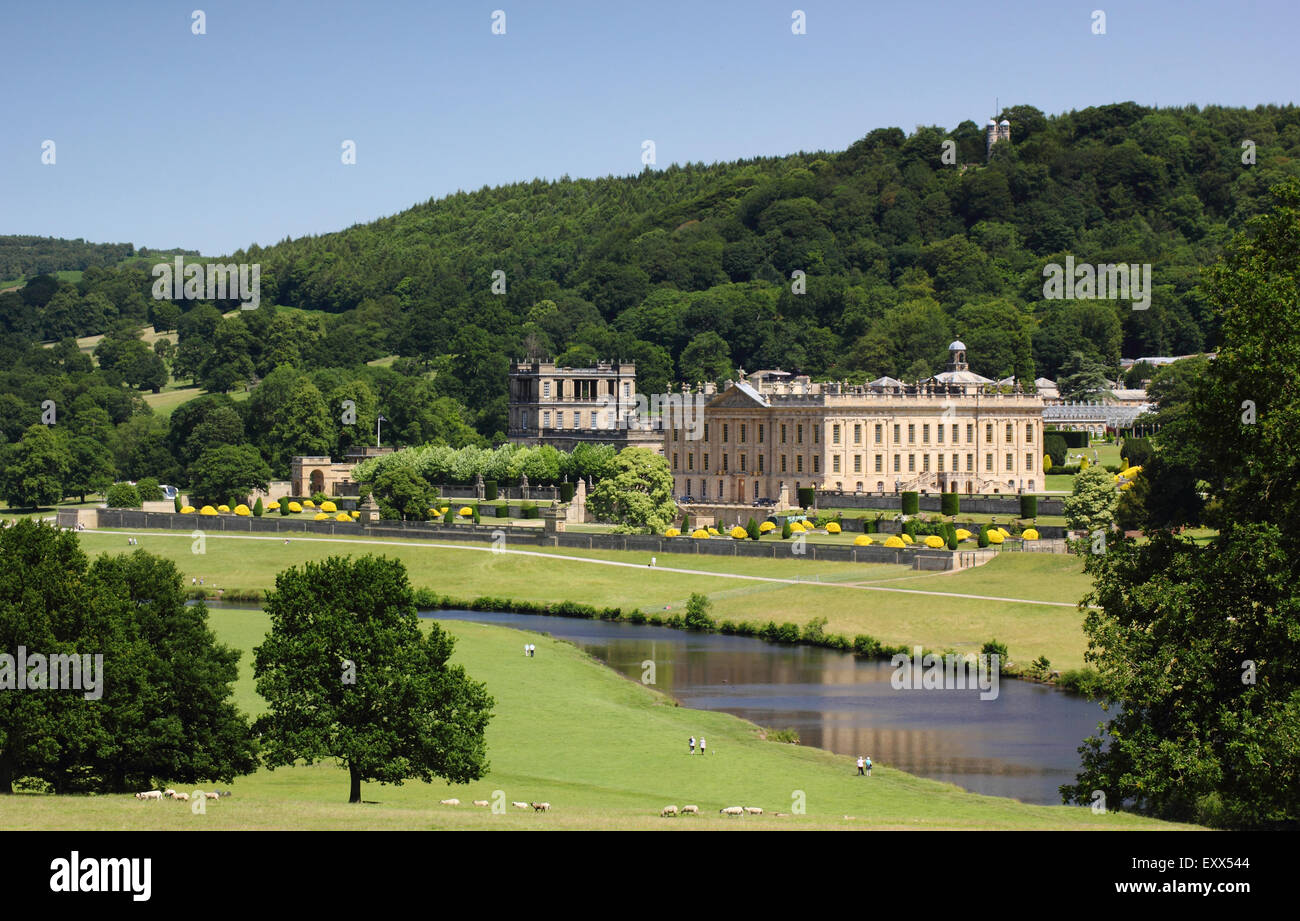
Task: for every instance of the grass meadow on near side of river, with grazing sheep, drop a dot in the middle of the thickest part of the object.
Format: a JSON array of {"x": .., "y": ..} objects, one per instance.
[{"x": 604, "y": 751}]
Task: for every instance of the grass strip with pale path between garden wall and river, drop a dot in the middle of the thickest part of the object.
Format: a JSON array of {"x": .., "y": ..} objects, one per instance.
[{"x": 1026, "y": 600}]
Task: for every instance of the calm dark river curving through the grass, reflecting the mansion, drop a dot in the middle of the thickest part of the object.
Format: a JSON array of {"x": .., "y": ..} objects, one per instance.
[{"x": 1024, "y": 745}]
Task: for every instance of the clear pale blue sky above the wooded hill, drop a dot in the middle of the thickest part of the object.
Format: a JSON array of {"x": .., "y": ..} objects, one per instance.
[{"x": 213, "y": 142}]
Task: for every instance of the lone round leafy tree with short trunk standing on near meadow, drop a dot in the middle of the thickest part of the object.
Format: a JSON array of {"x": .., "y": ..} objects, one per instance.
[{"x": 350, "y": 673}]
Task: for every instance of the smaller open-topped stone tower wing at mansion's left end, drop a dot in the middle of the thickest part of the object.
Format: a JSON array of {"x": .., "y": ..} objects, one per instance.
[{"x": 570, "y": 407}]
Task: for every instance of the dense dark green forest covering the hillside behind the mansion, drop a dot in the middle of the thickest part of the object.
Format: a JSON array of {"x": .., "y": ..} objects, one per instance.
[{"x": 838, "y": 265}]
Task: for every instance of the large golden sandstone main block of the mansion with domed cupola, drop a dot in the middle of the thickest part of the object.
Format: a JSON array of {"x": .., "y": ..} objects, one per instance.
[{"x": 955, "y": 433}]
